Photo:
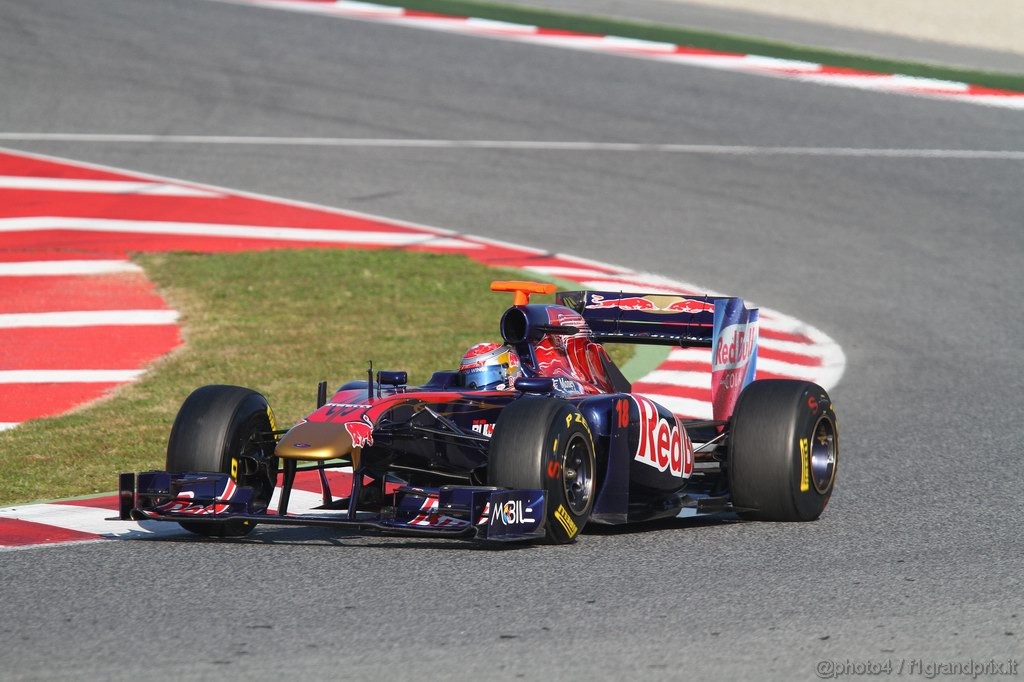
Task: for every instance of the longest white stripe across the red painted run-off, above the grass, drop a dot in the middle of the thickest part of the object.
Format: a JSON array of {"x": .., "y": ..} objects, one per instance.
[{"x": 236, "y": 232}]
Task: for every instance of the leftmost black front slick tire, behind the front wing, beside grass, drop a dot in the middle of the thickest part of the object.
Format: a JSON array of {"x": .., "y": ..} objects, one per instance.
[{"x": 216, "y": 425}]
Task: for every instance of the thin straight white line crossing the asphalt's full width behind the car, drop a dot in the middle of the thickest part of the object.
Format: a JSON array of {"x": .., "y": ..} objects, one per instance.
[{"x": 540, "y": 146}]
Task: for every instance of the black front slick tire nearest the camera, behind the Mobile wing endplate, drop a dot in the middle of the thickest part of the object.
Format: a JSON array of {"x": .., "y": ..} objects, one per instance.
[{"x": 546, "y": 444}]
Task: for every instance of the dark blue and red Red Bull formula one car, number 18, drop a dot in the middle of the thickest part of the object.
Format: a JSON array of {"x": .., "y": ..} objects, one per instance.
[{"x": 530, "y": 441}]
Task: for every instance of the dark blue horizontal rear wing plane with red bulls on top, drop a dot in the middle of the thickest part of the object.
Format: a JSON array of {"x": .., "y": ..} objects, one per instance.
[{"x": 665, "y": 320}]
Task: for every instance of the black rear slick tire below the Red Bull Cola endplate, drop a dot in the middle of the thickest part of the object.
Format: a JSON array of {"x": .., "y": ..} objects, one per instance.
[{"x": 784, "y": 451}]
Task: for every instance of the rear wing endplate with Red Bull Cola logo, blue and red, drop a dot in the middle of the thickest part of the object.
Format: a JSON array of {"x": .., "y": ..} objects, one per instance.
[{"x": 735, "y": 355}]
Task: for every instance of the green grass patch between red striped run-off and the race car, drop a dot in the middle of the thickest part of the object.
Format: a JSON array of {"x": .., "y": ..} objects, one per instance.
[{"x": 278, "y": 322}]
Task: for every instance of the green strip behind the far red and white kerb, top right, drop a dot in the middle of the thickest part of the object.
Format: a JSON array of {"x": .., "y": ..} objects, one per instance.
[{"x": 707, "y": 39}]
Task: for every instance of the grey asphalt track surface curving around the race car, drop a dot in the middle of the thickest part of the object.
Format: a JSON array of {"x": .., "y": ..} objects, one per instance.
[{"x": 913, "y": 265}]
